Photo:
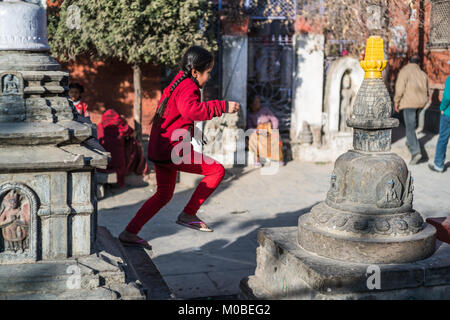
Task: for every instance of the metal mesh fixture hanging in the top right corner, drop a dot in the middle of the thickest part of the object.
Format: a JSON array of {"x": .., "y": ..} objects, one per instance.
[{"x": 440, "y": 23}]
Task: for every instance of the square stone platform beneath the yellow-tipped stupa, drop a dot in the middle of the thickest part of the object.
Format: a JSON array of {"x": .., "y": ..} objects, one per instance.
[{"x": 286, "y": 271}]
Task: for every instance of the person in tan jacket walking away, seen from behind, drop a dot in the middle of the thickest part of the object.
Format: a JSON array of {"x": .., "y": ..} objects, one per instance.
[{"x": 411, "y": 95}]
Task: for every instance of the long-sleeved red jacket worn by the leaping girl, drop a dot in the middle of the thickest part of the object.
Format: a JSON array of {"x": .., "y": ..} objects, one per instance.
[{"x": 183, "y": 108}]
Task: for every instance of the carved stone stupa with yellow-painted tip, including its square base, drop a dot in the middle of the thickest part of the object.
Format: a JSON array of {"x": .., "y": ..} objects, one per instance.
[{"x": 365, "y": 241}]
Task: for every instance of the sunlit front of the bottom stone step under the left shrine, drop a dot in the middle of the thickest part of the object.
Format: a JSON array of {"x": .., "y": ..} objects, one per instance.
[{"x": 46, "y": 277}]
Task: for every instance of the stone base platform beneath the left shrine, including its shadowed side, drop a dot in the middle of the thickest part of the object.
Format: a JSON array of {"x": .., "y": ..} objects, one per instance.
[{"x": 113, "y": 272}]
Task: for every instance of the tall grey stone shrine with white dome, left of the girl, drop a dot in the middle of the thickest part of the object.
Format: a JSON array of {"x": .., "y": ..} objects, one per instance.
[{"x": 48, "y": 157}]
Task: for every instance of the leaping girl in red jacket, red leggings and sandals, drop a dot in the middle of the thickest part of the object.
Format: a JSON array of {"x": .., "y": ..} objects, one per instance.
[{"x": 173, "y": 125}]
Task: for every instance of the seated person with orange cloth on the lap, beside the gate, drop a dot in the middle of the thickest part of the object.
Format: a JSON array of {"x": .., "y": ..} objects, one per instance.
[{"x": 264, "y": 121}]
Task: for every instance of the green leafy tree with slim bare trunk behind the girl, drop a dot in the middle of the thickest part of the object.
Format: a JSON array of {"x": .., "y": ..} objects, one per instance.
[{"x": 133, "y": 31}]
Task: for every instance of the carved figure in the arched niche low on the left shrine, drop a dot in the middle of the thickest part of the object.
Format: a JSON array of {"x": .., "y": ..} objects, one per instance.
[{"x": 15, "y": 221}]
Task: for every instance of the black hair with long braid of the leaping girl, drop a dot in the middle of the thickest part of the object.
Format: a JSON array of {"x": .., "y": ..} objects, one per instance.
[{"x": 196, "y": 58}]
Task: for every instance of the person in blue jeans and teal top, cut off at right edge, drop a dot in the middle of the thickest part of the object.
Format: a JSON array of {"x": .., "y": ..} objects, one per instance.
[{"x": 444, "y": 131}]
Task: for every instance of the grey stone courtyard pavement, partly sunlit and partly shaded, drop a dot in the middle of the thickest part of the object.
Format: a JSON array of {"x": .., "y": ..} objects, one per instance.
[{"x": 199, "y": 265}]
